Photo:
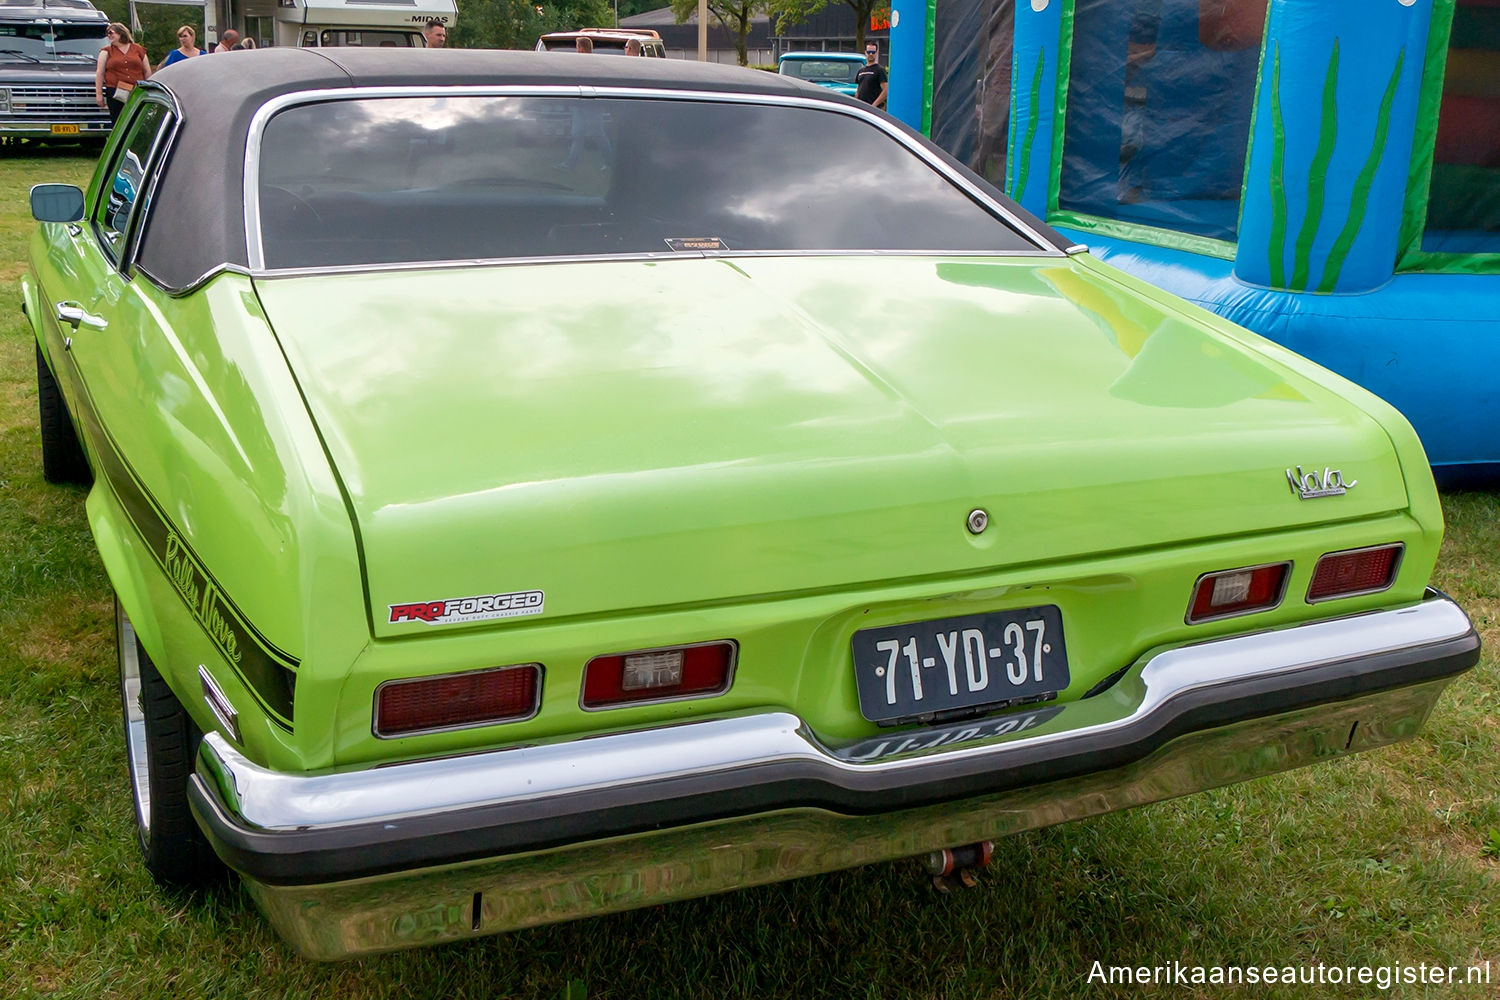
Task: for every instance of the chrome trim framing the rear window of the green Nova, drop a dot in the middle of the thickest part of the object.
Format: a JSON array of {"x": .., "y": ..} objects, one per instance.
[{"x": 254, "y": 244}]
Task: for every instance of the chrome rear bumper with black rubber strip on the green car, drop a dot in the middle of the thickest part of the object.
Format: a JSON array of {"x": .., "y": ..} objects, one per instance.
[{"x": 436, "y": 851}]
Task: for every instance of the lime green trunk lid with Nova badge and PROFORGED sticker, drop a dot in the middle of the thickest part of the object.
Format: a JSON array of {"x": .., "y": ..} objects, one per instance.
[{"x": 653, "y": 434}]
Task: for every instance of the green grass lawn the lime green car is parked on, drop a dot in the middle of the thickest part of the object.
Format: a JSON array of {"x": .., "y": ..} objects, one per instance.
[{"x": 1376, "y": 860}]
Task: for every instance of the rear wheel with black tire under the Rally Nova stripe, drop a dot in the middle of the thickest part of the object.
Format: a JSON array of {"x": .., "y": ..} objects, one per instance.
[{"x": 161, "y": 746}]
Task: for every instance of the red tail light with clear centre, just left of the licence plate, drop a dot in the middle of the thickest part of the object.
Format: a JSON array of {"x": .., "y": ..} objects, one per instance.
[{"x": 659, "y": 675}]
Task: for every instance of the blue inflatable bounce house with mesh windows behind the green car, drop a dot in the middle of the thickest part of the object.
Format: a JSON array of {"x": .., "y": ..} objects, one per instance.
[{"x": 1322, "y": 172}]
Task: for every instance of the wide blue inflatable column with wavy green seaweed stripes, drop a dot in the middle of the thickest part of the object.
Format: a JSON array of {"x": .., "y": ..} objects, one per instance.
[{"x": 1330, "y": 154}]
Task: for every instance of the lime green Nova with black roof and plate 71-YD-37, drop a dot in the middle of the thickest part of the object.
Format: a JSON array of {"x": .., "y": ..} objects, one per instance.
[{"x": 533, "y": 491}]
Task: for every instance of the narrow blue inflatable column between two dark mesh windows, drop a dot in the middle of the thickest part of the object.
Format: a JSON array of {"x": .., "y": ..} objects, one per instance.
[{"x": 1036, "y": 146}]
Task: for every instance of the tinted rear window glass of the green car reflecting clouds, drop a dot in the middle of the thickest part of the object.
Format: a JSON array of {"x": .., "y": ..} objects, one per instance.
[{"x": 451, "y": 179}]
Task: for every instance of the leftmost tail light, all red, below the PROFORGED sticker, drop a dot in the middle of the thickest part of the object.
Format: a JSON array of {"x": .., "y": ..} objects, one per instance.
[{"x": 478, "y": 698}]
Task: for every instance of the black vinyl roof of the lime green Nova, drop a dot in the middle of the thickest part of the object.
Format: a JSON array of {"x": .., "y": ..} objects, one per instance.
[{"x": 197, "y": 212}]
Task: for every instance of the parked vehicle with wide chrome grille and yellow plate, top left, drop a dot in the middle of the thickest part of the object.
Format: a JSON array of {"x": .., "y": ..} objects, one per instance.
[{"x": 47, "y": 65}]
